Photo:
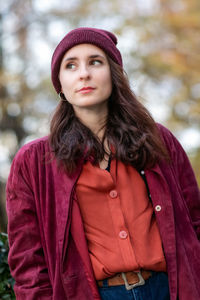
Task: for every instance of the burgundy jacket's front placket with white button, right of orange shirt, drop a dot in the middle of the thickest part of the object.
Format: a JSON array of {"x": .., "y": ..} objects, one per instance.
[{"x": 164, "y": 211}]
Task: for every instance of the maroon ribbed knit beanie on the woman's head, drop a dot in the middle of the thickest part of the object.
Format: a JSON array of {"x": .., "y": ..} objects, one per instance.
[{"x": 103, "y": 39}]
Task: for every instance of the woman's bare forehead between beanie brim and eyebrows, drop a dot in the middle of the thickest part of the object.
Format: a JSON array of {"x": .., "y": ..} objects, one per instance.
[{"x": 84, "y": 50}]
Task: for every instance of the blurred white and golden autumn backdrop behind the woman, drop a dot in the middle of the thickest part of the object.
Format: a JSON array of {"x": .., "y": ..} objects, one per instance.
[{"x": 160, "y": 44}]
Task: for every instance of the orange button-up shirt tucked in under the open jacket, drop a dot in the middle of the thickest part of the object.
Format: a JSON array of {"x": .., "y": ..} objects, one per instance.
[{"x": 119, "y": 221}]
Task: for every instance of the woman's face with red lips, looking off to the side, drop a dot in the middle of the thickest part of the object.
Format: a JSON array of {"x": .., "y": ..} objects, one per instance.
[{"x": 85, "y": 77}]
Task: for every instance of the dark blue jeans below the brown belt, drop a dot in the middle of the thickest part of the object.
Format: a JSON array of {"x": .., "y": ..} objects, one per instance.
[{"x": 155, "y": 288}]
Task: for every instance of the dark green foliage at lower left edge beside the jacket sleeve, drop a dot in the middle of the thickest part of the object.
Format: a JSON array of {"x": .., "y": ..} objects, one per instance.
[{"x": 6, "y": 281}]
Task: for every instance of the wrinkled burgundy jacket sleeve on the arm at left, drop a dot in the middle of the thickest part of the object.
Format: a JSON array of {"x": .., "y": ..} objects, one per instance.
[{"x": 26, "y": 257}]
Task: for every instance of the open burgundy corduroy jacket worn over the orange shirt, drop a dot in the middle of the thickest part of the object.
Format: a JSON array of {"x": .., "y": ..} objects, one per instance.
[{"x": 48, "y": 251}]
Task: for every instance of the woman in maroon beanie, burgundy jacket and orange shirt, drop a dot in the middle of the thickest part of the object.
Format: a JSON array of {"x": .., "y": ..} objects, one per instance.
[{"x": 106, "y": 206}]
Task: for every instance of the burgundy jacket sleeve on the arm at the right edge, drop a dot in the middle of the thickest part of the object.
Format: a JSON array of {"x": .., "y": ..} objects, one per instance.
[{"x": 185, "y": 177}]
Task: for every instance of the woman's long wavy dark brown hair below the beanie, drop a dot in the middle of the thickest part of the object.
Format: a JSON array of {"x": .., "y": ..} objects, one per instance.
[{"x": 129, "y": 130}]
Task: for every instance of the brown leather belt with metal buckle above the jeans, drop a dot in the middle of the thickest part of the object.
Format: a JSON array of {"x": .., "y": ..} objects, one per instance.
[{"x": 130, "y": 279}]
